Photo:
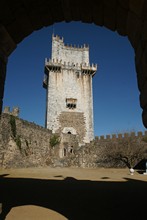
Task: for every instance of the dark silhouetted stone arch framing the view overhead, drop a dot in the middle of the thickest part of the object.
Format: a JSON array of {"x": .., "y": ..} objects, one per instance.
[{"x": 127, "y": 17}]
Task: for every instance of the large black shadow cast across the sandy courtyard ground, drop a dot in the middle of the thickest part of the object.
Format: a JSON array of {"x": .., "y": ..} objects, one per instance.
[{"x": 77, "y": 199}]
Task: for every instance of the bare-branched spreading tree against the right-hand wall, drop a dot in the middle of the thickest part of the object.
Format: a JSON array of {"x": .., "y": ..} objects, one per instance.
[{"x": 127, "y": 151}]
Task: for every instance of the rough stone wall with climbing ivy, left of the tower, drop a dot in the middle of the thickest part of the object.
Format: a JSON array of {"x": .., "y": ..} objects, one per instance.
[{"x": 29, "y": 147}]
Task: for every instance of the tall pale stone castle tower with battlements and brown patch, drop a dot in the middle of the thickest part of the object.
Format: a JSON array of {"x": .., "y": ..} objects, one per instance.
[{"x": 68, "y": 82}]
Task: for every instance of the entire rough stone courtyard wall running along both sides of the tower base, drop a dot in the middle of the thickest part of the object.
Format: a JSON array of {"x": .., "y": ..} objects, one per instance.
[{"x": 29, "y": 145}]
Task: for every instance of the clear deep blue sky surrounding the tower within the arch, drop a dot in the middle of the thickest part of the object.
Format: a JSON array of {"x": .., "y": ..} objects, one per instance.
[{"x": 115, "y": 91}]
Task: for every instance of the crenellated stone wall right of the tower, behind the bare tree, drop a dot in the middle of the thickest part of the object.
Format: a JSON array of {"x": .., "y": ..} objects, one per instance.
[{"x": 96, "y": 154}]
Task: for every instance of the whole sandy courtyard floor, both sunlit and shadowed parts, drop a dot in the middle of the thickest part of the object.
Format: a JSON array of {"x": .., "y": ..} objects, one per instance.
[{"x": 72, "y": 193}]
